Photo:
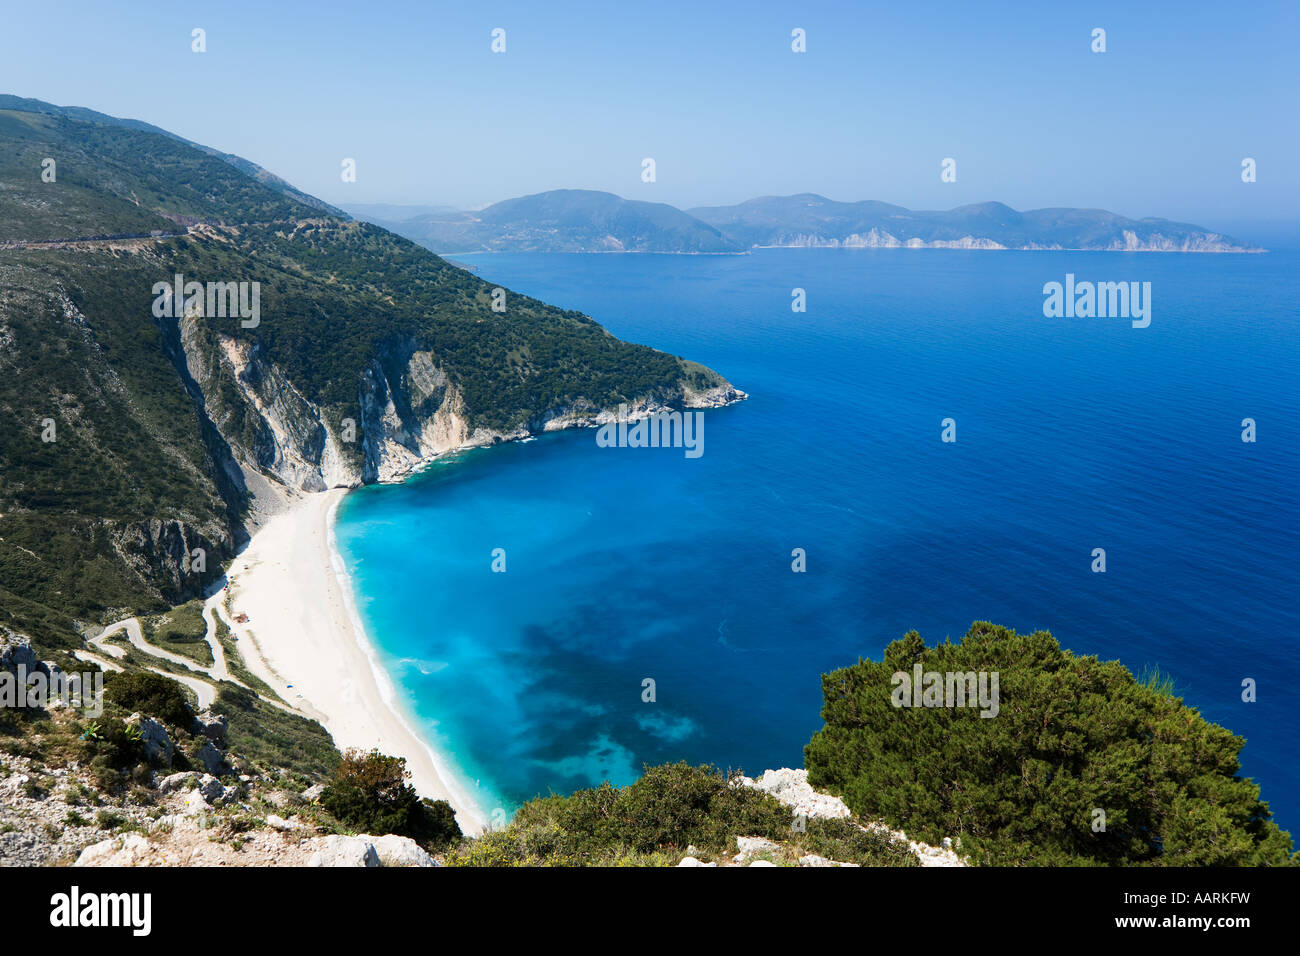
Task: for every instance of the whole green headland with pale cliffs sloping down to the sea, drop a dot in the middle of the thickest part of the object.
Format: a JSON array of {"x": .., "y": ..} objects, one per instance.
[{"x": 174, "y": 434}]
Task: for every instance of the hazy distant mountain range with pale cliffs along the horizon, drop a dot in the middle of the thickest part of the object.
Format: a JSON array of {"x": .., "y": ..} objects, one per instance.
[{"x": 592, "y": 222}]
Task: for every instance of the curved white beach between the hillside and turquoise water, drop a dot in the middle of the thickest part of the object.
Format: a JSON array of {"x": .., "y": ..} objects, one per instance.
[{"x": 305, "y": 638}]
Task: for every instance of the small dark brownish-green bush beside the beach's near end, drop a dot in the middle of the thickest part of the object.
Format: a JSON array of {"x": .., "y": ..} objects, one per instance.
[{"x": 370, "y": 794}]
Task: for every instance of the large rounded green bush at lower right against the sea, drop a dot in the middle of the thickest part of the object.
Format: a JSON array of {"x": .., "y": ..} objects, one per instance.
[{"x": 1073, "y": 737}]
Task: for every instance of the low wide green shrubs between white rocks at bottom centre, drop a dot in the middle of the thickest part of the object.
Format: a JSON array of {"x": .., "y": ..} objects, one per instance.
[{"x": 653, "y": 821}]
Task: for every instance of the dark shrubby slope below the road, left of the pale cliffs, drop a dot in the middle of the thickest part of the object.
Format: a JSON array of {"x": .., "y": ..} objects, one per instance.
[{"x": 106, "y": 479}]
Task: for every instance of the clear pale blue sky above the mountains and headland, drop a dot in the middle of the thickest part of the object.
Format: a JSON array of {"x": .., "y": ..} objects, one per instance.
[{"x": 1158, "y": 126}]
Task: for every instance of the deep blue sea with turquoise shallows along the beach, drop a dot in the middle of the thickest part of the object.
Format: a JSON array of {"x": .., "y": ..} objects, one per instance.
[{"x": 1072, "y": 435}]
